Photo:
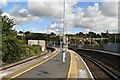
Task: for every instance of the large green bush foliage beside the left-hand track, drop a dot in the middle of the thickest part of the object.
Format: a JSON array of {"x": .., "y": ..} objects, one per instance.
[{"x": 13, "y": 48}]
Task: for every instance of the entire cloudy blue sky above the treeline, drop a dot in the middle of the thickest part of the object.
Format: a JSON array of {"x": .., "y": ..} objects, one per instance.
[{"x": 43, "y": 16}]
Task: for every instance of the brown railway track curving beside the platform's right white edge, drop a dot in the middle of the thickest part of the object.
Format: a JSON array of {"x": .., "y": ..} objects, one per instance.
[{"x": 101, "y": 69}]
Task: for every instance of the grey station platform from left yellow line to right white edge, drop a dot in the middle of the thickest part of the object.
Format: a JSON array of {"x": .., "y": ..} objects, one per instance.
[{"x": 54, "y": 69}]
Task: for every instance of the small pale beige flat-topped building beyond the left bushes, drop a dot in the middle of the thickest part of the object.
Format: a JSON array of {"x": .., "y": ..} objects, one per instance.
[{"x": 42, "y": 43}]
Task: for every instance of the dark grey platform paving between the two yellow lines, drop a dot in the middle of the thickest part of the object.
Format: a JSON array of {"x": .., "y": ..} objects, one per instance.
[{"x": 52, "y": 69}]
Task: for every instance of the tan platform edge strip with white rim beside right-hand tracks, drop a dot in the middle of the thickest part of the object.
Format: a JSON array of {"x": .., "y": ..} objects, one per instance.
[{"x": 78, "y": 68}]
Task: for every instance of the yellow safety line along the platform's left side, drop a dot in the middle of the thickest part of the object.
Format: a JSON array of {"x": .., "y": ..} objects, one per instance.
[{"x": 35, "y": 65}]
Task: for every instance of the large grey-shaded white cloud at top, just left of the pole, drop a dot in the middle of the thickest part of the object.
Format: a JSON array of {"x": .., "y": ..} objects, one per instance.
[{"x": 46, "y": 9}]
